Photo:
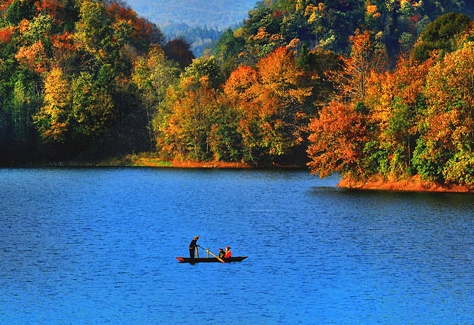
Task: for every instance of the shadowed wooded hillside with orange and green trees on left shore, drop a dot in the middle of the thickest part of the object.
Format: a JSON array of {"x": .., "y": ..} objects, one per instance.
[{"x": 66, "y": 85}]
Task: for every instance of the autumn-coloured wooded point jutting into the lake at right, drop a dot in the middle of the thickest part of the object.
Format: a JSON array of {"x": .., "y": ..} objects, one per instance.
[{"x": 416, "y": 120}]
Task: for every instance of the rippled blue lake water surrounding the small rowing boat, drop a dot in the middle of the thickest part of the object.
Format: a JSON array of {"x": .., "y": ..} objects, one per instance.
[{"x": 98, "y": 246}]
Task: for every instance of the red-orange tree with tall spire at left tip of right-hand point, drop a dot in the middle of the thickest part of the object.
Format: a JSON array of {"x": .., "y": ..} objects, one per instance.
[{"x": 339, "y": 134}]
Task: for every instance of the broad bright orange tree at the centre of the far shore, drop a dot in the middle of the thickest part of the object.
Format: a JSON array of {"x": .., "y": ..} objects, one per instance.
[{"x": 272, "y": 103}]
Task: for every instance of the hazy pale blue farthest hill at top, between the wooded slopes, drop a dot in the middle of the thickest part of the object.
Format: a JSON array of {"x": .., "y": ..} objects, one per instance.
[{"x": 218, "y": 14}]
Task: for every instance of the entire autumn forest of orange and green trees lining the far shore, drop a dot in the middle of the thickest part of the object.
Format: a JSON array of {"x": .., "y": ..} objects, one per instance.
[{"x": 365, "y": 89}]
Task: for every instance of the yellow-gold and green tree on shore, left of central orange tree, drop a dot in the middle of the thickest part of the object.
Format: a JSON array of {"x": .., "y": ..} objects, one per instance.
[{"x": 193, "y": 122}]
